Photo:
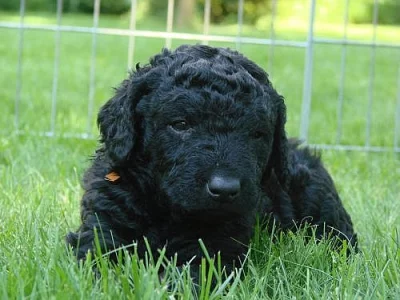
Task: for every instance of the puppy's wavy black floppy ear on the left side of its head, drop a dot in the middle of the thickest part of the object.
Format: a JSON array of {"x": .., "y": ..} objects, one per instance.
[{"x": 116, "y": 124}]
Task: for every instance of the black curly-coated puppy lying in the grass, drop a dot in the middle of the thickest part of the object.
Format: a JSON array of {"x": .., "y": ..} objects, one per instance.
[{"x": 198, "y": 141}]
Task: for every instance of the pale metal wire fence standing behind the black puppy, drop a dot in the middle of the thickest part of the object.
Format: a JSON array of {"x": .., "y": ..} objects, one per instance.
[{"x": 272, "y": 43}]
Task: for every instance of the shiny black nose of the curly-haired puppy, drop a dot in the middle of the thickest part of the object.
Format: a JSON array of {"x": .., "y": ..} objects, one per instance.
[{"x": 223, "y": 188}]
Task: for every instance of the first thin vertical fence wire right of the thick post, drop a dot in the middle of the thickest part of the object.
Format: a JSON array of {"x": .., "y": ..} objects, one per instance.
[{"x": 342, "y": 78}]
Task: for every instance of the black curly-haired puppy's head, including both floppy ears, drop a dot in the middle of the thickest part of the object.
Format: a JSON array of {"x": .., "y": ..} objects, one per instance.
[{"x": 206, "y": 121}]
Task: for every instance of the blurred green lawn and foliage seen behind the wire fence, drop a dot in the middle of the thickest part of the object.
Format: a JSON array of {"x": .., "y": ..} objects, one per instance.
[{"x": 284, "y": 64}]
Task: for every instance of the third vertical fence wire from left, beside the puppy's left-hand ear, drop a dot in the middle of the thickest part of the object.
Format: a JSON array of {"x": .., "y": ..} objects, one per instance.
[{"x": 92, "y": 76}]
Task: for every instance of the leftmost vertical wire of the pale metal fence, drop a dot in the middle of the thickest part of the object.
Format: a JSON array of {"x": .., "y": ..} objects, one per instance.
[{"x": 18, "y": 92}]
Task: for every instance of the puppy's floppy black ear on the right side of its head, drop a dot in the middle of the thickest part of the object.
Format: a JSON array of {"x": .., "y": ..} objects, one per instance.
[{"x": 279, "y": 158}]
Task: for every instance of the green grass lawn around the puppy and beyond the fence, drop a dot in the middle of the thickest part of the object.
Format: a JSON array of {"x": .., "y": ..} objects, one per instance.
[{"x": 40, "y": 177}]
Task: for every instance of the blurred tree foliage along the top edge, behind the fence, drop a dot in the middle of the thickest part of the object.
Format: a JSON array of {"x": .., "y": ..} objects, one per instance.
[{"x": 361, "y": 11}]
